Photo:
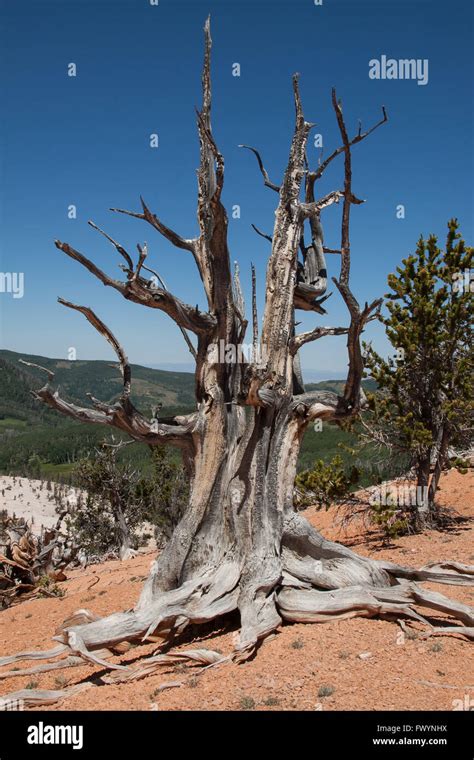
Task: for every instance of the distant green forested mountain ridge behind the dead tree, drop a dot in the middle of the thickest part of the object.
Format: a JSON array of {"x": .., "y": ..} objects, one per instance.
[{"x": 30, "y": 432}]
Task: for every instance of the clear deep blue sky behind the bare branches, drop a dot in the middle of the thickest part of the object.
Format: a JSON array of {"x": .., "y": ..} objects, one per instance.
[{"x": 85, "y": 141}]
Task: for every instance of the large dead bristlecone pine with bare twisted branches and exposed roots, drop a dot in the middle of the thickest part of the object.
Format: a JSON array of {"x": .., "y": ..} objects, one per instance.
[{"x": 240, "y": 544}]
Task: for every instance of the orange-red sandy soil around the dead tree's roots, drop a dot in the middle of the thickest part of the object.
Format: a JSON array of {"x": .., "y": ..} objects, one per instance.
[{"x": 291, "y": 667}]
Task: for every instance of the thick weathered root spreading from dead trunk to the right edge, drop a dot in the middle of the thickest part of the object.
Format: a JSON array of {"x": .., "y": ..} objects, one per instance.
[{"x": 325, "y": 581}]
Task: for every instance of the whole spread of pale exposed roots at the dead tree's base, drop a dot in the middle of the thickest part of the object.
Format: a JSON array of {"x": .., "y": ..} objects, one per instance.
[{"x": 319, "y": 581}]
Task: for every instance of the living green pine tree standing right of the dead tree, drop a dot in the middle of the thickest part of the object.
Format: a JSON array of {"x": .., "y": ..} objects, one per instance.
[{"x": 424, "y": 403}]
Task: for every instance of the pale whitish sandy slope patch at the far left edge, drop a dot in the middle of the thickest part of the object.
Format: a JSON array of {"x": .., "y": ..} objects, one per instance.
[{"x": 32, "y": 500}]
